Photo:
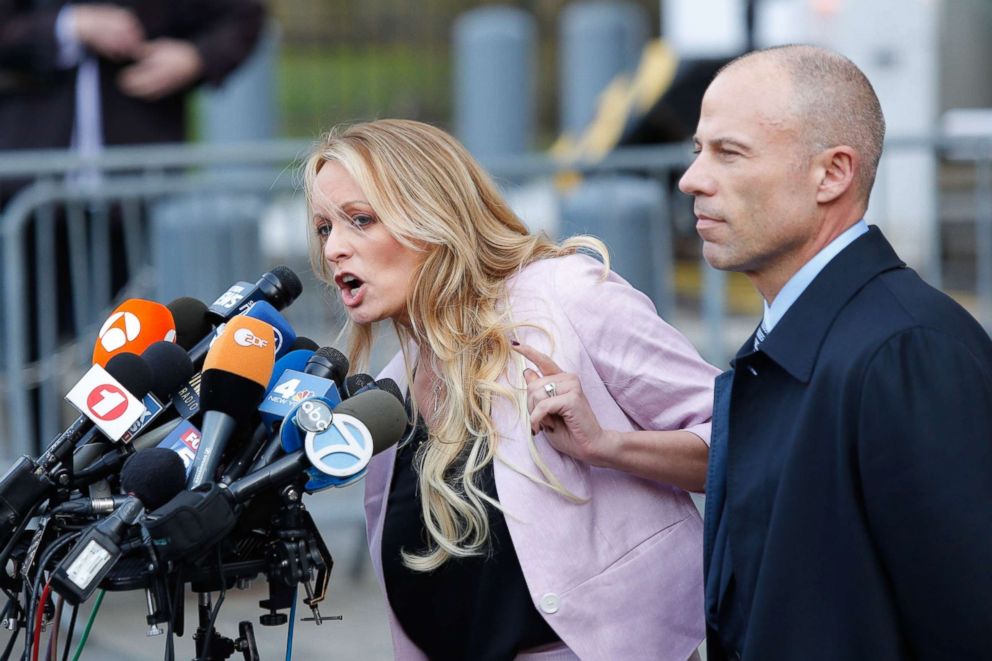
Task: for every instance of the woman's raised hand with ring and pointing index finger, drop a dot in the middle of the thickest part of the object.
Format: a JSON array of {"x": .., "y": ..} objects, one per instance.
[{"x": 567, "y": 419}]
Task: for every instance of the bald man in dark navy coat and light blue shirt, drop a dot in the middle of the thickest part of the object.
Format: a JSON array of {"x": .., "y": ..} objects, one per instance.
[{"x": 849, "y": 492}]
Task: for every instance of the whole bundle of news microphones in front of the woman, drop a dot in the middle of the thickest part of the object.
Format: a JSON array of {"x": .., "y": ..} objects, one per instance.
[{"x": 200, "y": 429}]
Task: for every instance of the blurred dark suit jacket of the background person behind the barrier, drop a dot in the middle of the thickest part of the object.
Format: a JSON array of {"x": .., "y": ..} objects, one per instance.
[{"x": 37, "y": 98}]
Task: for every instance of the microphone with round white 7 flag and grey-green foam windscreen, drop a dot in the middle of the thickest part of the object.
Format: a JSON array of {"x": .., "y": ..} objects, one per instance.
[{"x": 195, "y": 520}]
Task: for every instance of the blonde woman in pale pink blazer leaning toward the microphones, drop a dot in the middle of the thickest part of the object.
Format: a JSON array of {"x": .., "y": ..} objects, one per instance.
[{"x": 538, "y": 508}]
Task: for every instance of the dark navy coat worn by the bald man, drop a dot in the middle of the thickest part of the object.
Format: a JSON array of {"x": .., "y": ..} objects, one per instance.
[{"x": 852, "y": 469}]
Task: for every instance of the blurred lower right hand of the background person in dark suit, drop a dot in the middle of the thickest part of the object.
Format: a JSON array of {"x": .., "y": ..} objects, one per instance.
[{"x": 162, "y": 66}]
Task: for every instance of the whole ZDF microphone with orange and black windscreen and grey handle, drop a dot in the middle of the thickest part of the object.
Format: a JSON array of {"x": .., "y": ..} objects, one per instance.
[{"x": 234, "y": 377}]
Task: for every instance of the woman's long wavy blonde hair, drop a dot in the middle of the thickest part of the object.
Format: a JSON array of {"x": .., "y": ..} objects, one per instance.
[{"x": 435, "y": 198}]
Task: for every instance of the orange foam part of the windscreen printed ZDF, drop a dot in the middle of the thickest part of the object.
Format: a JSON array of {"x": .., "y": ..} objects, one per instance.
[{"x": 246, "y": 347}]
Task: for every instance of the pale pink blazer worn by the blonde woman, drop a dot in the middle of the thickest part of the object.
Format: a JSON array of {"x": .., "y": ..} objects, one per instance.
[{"x": 618, "y": 576}]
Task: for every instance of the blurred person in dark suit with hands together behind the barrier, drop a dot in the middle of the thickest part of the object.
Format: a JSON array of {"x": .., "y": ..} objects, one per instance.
[{"x": 84, "y": 75}]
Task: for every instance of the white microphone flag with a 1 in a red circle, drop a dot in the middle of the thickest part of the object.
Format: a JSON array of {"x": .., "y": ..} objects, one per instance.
[{"x": 102, "y": 399}]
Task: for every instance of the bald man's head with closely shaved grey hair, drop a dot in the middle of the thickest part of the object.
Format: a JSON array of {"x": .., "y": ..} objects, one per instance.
[{"x": 789, "y": 141}]
